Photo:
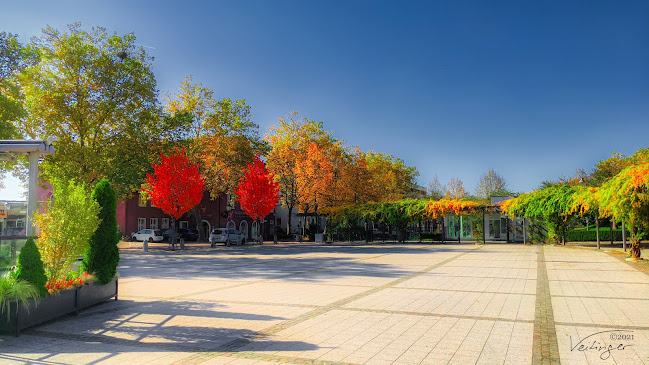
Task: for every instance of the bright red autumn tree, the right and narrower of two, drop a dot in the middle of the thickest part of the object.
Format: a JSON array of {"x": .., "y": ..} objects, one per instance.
[{"x": 258, "y": 191}]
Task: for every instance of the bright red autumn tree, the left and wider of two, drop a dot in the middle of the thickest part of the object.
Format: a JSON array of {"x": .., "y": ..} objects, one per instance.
[{"x": 176, "y": 186}]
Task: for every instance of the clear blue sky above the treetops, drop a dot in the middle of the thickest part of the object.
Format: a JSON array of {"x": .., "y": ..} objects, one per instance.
[{"x": 534, "y": 90}]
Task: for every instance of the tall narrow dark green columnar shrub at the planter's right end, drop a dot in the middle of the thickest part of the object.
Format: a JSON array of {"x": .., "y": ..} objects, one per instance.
[{"x": 102, "y": 256}]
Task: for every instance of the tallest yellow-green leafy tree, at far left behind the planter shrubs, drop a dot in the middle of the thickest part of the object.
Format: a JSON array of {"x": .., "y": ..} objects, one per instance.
[{"x": 96, "y": 92}]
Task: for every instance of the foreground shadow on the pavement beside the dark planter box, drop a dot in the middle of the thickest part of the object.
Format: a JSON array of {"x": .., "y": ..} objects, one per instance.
[{"x": 127, "y": 326}]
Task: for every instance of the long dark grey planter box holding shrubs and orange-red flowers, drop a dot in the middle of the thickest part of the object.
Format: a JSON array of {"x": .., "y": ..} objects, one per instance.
[{"x": 55, "y": 306}]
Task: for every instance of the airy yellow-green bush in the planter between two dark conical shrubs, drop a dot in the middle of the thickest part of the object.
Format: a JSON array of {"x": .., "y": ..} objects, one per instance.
[{"x": 70, "y": 219}]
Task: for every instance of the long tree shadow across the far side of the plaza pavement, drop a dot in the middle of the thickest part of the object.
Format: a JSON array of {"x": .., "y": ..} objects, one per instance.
[{"x": 275, "y": 262}]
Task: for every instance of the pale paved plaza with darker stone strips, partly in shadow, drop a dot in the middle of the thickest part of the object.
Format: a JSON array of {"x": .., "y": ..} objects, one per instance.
[{"x": 357, "y": 304}]
